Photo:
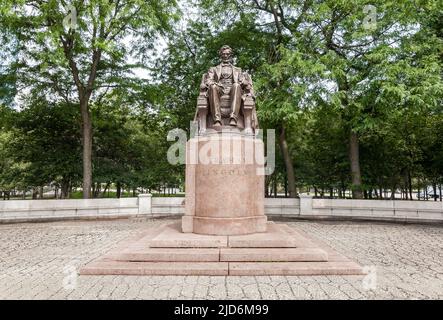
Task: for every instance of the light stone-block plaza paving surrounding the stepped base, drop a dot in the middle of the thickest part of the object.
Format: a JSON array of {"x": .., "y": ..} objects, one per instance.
[{"x": 41, "y": 260}]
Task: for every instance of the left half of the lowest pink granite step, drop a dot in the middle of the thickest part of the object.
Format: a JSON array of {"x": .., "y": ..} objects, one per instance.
[{"x": 155, "y": 268}]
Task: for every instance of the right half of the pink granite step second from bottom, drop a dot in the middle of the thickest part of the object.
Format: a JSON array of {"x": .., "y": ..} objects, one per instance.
[{"x": 272, "y": 254}]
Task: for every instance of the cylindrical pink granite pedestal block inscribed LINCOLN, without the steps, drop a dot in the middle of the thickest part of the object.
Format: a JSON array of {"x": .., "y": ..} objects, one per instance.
[{"x": 225, "y": 182}]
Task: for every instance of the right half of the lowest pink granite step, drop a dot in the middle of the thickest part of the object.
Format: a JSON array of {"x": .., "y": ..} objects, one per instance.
[{"x": 294, "y": 268}]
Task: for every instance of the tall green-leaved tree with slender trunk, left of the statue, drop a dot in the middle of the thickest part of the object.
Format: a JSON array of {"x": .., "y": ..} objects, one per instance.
[{"x": 78, "y": 53}]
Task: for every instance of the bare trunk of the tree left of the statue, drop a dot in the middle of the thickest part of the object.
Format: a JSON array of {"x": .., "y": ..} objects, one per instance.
[{"x": 87, "y": 148}]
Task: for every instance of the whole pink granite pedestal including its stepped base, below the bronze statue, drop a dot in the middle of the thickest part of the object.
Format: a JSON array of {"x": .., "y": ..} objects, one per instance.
[{"x": 224, "y": 230}]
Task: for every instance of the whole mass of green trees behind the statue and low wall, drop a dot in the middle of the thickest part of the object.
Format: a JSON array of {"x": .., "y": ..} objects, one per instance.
[{"x": 354, "y": 90}]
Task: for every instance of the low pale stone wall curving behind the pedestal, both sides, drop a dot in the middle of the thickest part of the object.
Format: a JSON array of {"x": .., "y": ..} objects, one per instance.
[{"x": 306, "y": 207}]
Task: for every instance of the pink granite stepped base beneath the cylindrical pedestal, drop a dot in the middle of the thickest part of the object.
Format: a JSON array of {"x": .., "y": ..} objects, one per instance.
[{"x": 167, "y": 251}]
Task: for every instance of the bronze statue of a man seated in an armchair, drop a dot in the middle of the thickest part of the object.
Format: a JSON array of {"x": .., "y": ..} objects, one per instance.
[{"x": 226, "y": 97}]
